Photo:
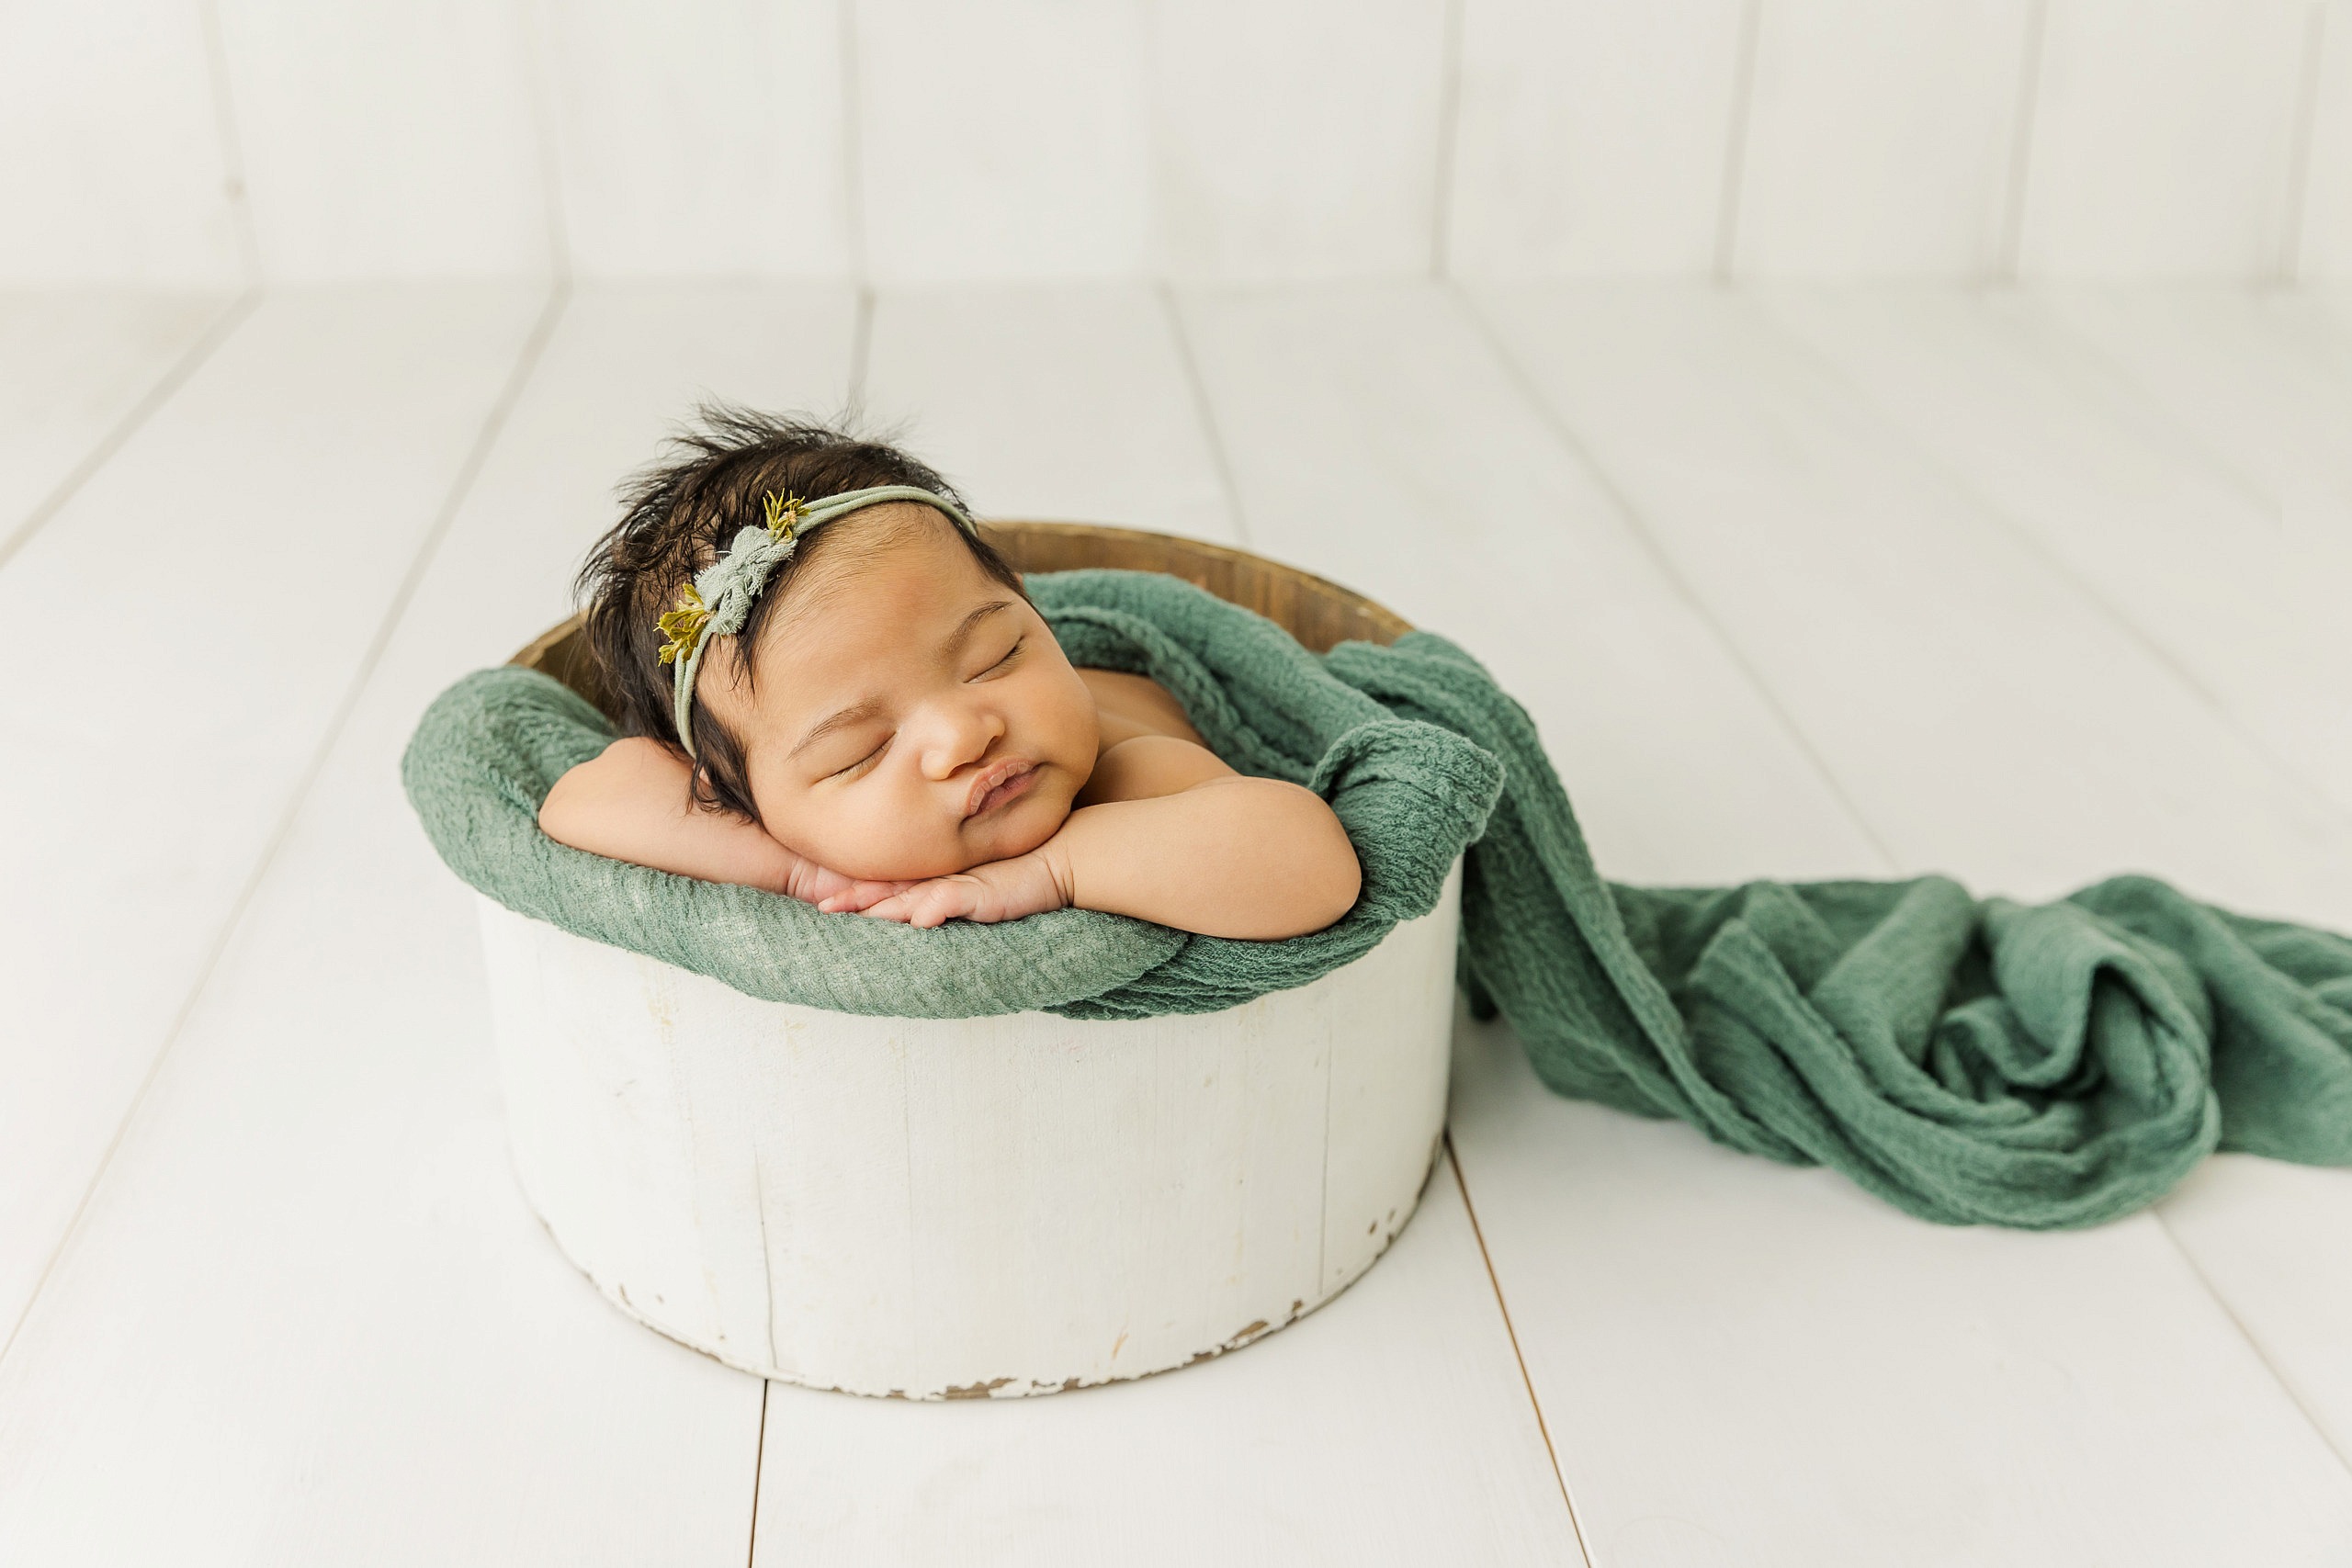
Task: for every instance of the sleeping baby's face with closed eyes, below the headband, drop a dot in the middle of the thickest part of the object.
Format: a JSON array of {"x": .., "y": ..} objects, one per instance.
[{"x": 911, "y": 716}]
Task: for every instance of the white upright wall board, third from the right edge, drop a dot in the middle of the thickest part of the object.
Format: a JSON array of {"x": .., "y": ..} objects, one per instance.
[{"x": 1880, "y": 140}]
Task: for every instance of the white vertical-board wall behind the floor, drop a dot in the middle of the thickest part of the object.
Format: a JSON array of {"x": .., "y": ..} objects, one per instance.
[{"x": 218, "y": 142}]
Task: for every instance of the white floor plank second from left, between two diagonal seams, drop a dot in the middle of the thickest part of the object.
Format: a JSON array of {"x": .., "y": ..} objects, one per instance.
[{"x": 227, "y": 655}]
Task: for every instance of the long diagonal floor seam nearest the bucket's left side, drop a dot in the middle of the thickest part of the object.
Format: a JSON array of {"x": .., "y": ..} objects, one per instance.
[{"x": 283, "y": 829}]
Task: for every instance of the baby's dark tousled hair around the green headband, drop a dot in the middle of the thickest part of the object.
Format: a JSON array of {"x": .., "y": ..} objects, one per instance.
[{"x": 679, "y": 516}]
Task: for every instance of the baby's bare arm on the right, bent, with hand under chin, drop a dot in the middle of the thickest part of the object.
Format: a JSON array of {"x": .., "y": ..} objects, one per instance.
[{"x": 1170, "y": 836}]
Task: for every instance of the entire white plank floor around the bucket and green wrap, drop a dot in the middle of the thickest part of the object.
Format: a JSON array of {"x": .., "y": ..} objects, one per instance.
[{"x": 1798, "y": 584}]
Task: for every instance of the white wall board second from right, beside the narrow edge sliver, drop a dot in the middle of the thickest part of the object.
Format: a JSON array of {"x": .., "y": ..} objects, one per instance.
[{"x": 2165, "y": 140}]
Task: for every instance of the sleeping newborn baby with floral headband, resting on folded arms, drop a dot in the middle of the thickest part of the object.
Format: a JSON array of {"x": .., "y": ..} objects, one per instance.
[{"x": 834, "y": 688}]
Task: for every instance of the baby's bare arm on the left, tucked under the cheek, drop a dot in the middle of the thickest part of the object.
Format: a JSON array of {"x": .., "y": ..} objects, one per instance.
[{"x": 634, "y": 803}]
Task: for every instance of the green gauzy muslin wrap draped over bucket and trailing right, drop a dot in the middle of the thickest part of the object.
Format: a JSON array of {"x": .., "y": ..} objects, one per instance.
[{"x": 1970, "y": 1061}]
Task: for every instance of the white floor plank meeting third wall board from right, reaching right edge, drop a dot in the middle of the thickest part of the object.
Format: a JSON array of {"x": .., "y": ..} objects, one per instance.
[{"x": 2181, "y": 551}]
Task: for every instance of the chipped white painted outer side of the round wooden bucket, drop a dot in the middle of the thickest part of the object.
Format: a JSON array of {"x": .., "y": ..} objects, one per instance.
[{"x": 982, "y": 1207}]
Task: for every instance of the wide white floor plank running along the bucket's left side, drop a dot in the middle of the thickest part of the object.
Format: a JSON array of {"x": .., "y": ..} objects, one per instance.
[{"x": 309, "y": 1315}]
